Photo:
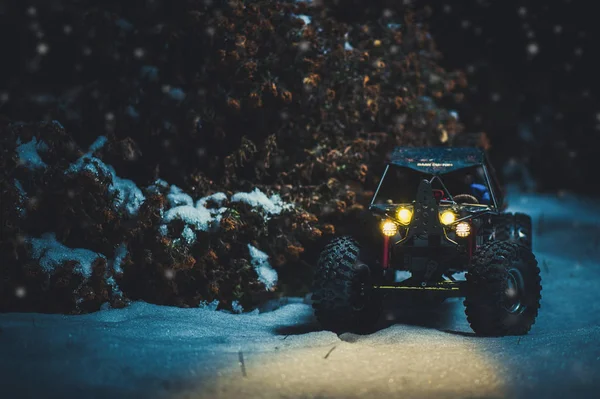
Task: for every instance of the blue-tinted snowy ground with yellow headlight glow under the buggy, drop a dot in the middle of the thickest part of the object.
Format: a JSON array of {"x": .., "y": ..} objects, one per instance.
[{"x": 151, "y": 351}]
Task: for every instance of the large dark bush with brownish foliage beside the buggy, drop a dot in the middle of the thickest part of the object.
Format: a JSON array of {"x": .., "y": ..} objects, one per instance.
[{"x": 215, "y": 97}]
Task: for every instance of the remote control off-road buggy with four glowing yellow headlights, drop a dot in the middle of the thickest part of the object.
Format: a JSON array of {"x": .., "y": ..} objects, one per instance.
[{"x": 437, "y": 213}]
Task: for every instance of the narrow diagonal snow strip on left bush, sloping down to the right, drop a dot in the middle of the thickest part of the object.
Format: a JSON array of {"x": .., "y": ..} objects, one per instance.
[{"x": 129, "y": 196}]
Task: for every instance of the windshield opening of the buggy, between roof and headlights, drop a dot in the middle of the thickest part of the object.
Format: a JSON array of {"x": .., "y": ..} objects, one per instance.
[{"x": 400, "y": 185}]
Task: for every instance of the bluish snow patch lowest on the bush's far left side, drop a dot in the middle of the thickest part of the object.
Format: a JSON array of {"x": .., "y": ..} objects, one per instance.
[{"x": 52, "y": 254}]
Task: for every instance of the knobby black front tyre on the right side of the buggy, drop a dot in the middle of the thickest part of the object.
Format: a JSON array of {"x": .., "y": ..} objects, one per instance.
[{"x": 503, "y": 290}]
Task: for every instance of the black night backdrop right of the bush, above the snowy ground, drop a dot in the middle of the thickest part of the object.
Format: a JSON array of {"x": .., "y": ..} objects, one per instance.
[{"x": 533, "y": 73}]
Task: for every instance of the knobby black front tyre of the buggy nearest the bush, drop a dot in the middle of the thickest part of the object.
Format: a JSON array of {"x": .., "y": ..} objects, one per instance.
[{"x": 343, "y": 297}]
